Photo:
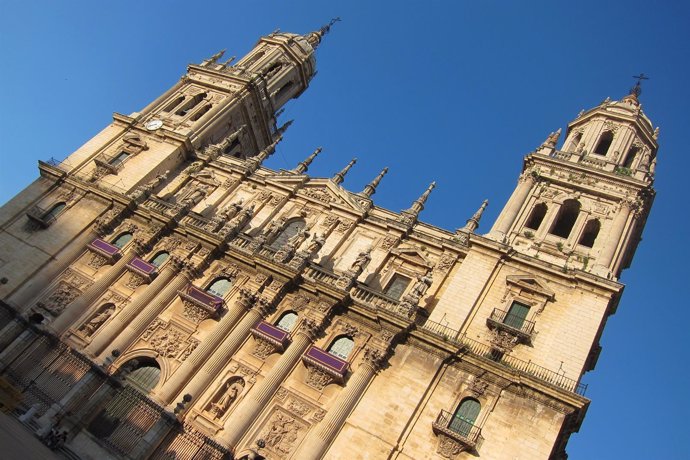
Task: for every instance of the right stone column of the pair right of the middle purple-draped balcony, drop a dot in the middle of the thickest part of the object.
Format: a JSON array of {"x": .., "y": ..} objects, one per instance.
[{"x": 212, "y": 367}]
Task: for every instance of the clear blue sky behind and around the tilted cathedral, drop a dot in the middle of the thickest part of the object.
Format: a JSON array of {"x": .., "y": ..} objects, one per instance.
[{"x": 456, "y": 92}]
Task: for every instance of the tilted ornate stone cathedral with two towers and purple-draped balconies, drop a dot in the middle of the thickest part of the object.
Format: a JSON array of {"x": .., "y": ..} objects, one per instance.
[{"x": 164, "y": 295}]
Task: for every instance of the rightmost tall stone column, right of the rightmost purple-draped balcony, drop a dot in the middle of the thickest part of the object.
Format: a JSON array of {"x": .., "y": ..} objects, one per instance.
[{"x": 321, "y": 436}]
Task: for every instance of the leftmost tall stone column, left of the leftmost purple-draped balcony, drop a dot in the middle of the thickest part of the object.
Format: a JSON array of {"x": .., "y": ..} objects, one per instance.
[{"x": 22, "y": 297}]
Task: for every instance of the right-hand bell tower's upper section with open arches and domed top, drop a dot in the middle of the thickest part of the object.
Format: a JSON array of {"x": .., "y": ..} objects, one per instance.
[{"x": 584, "y": 206}]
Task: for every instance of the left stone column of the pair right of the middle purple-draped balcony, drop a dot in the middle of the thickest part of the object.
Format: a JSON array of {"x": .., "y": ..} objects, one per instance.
[{"x": 201, "y": 354}]
